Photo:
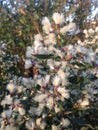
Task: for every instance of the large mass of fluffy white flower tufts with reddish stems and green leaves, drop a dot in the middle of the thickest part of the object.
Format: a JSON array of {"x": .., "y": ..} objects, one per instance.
[{"x": 59, "y": 78}]
